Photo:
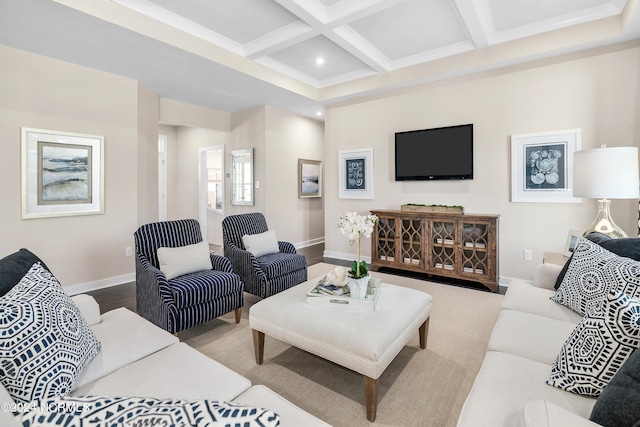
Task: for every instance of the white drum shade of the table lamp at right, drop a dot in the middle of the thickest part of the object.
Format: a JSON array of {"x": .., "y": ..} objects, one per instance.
[{"x": 606, "y": 173}]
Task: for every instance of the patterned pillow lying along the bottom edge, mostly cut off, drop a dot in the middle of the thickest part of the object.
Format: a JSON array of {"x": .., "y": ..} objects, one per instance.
[{"x": 137, "y": 411}]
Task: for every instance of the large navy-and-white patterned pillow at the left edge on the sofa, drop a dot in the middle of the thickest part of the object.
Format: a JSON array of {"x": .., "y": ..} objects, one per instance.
[{"x": 45, "y": 340}]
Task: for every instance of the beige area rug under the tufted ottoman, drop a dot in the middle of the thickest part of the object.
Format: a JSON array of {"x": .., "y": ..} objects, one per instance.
[{"x": 424, "y": 388}]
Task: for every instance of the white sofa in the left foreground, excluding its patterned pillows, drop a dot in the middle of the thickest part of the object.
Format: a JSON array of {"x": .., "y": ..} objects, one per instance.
[{"x": 140, "y": 359}]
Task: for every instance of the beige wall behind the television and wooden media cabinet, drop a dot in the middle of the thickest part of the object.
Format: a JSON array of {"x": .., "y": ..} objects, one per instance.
[{"x": 597, "y": 92}]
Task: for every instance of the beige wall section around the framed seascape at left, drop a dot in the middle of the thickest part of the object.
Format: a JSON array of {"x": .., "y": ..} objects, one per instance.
[{"x": 39, "y": 92}]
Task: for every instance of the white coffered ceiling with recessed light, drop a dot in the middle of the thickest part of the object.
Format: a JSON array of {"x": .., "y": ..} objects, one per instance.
[{"x": 301, "y": 55}]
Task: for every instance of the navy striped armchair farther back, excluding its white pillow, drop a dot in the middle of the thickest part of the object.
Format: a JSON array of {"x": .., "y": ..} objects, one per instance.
[{"x": 265, "y": 275}]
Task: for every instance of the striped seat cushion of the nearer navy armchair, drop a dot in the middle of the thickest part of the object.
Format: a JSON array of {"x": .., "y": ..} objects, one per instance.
[{"x": 203, "y": 286}]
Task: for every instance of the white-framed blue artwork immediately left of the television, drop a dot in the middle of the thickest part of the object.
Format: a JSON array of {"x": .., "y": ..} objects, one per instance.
[{"x": 355, "y": 174}]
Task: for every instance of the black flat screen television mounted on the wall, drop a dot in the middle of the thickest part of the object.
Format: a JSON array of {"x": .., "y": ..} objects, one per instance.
[{"x": 438, "y": 153}]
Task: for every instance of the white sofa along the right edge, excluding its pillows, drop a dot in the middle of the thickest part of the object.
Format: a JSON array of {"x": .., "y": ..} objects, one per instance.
[{"x": 510, "y": 389}]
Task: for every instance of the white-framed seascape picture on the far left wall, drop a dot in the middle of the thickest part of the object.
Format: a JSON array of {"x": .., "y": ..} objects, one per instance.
[{"x": 62, "y": 173}]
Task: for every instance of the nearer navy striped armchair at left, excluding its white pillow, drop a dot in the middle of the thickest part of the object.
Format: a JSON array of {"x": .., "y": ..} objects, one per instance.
[{"x": 187, "y": 300}]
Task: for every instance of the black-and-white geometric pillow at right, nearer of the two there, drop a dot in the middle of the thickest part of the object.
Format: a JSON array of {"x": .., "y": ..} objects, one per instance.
[{"x": 598, "y": 346}]
